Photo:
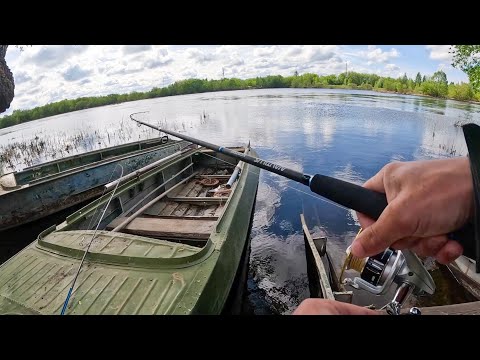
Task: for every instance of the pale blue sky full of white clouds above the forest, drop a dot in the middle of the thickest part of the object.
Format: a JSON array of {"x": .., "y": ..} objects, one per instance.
[{"x": 45, "y": 74}]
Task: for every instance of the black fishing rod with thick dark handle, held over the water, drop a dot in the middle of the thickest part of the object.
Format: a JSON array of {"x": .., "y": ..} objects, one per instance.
[{"x": 355, "y": 197}]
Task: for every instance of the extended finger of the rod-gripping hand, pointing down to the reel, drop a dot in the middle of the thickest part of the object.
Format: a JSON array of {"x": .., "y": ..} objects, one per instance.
[{"x": 379, "y": 235}]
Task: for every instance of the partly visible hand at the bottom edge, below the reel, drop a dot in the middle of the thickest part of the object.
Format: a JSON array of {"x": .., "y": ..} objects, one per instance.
[{"x": 330, "y": 307}]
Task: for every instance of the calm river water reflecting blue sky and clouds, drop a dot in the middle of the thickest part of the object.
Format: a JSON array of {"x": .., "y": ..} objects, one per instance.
[{"x": 345, "y": 134}]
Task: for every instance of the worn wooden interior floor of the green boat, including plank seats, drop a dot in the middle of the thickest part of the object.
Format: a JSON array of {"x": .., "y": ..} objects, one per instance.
[{"x": 188, "y": 214}]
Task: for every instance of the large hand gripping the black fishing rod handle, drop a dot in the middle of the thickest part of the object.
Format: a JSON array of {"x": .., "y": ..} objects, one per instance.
[{"x": 426, "y": 201}]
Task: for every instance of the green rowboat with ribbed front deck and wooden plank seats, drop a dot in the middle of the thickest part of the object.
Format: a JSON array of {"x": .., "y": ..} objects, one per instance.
[{"x": 178, "y": 254}]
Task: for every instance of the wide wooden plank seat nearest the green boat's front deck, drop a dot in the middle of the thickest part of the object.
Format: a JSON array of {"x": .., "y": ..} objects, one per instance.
[{"x": 198, "y": 229}]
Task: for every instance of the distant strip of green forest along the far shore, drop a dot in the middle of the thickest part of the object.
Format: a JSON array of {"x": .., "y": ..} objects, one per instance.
[{"x": 436, "y": 85}]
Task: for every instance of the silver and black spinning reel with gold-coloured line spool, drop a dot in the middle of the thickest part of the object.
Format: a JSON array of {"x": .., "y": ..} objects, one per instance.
[{"x": 379, "y": 272}]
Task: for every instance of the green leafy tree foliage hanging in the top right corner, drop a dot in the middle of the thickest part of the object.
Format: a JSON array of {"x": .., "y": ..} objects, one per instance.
[{"x": 467, "y": 59}]
